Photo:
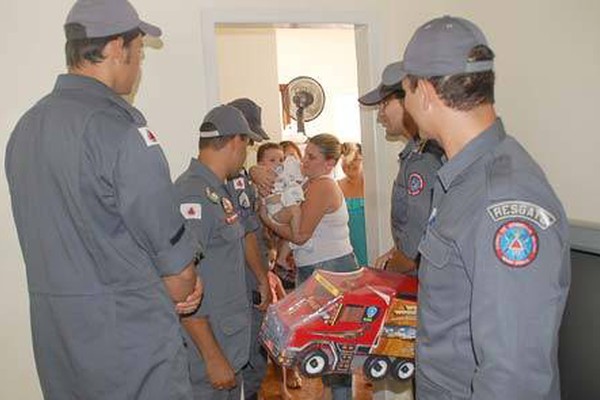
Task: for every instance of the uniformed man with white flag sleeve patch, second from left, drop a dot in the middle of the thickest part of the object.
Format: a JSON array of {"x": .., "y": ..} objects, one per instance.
[{"x": 219, "y": 332}]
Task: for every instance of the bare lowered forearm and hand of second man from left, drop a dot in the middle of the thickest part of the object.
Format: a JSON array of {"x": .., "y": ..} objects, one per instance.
[{"x": 220, "y": 373}]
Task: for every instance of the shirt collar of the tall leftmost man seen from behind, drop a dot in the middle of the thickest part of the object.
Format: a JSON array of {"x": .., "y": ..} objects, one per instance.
[{"x": 95, "y": 87}]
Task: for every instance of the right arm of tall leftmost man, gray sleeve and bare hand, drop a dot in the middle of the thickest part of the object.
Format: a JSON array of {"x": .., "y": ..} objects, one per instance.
[{"x": 145, "y": 194}]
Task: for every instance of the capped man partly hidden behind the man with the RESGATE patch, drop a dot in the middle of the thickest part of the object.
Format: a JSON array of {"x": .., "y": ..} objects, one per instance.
[{"x": 412, "y": 189}]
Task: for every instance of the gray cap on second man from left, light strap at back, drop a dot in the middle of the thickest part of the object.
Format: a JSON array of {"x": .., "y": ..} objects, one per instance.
[{"x": 226, "y": 121}]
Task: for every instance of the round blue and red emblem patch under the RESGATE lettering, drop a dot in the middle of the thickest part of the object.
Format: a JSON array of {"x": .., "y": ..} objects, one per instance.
[{"x": 516, "y": 244}]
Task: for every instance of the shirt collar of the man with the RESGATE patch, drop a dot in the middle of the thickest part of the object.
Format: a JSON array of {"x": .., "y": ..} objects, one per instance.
[{"x": 476, "y": 148}]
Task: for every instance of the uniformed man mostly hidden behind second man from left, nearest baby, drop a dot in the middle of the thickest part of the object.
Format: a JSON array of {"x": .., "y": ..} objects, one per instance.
[{"x": 259, "y": 293}]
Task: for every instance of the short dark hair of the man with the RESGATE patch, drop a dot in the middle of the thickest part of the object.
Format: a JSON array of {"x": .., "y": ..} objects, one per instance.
[{"x": 465, "y": 91}]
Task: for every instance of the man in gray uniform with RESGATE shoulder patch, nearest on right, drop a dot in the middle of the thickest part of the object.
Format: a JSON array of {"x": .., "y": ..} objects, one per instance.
[{"x": 495, "y": 266}]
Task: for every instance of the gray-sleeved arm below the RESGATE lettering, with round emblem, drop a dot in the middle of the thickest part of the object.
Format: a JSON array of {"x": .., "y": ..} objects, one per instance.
[{"x": 520, "y": 285}]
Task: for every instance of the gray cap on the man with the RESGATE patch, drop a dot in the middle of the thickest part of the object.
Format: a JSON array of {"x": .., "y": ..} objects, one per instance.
[{"x": 440, "y": 47}]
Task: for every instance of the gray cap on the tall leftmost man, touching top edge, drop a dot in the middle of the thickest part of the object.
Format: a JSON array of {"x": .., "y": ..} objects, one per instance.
[{"x": 101, "y": 18}]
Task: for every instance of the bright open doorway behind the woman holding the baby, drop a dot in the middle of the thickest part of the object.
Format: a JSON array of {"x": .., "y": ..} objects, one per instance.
[{"x": 258, "y": 60}]
